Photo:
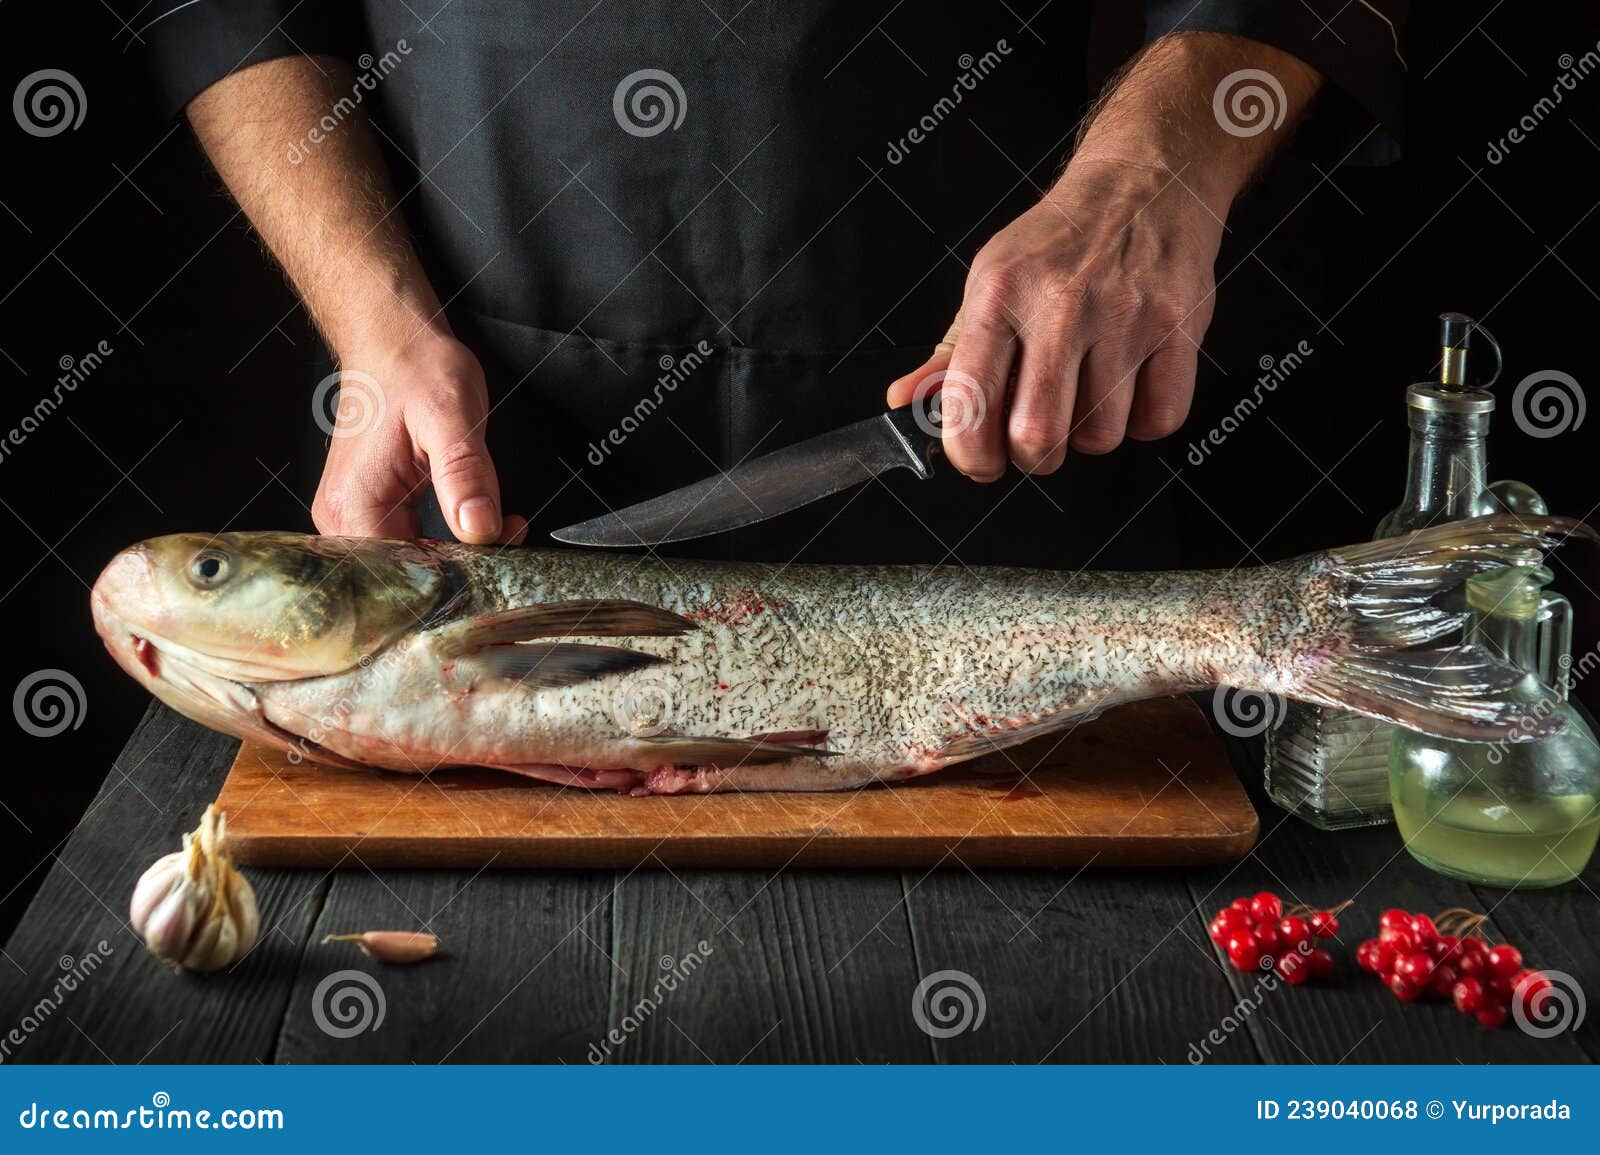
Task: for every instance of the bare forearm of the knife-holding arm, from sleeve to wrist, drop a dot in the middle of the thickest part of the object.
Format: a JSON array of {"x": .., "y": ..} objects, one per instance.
[{"x": 1161, "y": 113}]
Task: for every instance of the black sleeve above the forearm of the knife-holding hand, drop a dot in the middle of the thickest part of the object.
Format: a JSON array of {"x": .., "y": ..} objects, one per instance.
[{"x": 1356, "y": 50}]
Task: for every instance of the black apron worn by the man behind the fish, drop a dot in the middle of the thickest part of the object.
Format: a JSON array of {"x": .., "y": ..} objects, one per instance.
[{"x": 676, "y": 242}]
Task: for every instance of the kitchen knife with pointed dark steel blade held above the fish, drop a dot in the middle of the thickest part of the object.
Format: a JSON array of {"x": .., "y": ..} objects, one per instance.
[{"x": 778, "y": 482}]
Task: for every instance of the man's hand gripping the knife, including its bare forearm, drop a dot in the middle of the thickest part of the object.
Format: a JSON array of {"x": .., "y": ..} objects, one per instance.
[{"x": 1082, "y": 319}]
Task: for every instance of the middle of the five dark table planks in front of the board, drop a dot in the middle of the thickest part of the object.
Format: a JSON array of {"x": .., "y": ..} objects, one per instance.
[{"x": 791, "y": 967}]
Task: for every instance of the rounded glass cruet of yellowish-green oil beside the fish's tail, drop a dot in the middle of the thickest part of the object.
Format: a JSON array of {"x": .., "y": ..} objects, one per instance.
[{"x": 1511, "y": 813}]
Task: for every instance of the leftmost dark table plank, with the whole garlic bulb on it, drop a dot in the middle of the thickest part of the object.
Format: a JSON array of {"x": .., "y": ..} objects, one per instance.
[{"x": 132, "y": 1009}]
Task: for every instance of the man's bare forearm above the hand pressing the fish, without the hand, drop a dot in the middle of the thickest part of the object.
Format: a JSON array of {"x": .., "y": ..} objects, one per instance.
[{"x": 324, "y": 209}]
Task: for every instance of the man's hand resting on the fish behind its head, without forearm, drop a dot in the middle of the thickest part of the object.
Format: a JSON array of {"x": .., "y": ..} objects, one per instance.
[{"x": 425, "y": 425}]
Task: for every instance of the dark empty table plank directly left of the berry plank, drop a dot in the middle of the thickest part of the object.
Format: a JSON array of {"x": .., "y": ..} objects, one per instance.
[{"x": 1074, "y": 967}]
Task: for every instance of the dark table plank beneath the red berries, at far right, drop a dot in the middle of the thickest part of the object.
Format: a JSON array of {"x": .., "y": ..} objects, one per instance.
[{"x": 1356, "y": 1020}]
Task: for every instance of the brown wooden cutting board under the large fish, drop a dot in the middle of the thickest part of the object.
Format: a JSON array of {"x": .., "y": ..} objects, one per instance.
[{"x": 1146, "y": 785}]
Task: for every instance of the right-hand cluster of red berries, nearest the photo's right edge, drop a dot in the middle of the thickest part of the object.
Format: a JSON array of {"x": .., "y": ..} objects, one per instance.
[{"x": 1422, "y": 959}]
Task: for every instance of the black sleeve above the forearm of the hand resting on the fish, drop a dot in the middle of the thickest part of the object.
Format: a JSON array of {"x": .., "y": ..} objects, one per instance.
[{"x": 188, "y": 46}]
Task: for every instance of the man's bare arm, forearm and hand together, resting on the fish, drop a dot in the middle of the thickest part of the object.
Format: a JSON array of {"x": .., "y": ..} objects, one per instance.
[{"x": 322, "y": 202}]
